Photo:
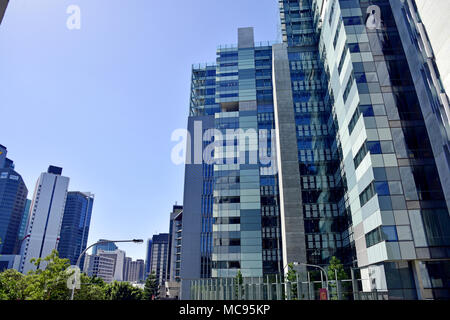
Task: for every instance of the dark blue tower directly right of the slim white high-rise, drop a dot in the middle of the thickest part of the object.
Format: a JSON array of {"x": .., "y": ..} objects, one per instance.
[{"x": 75, "y": 226}]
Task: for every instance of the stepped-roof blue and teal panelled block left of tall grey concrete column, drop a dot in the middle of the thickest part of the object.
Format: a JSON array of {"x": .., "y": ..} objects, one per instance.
[{"x": 231, "y": 201}]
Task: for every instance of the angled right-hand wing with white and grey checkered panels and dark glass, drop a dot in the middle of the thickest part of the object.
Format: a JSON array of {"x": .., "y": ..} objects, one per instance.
[{"x": 394, "y": 156}]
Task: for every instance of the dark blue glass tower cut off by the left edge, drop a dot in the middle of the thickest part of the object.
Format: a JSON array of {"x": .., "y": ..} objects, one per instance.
[{"x": 13, "y": 196}]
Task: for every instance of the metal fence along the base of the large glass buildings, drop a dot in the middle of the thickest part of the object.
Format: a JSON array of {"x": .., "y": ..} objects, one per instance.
[{"x": 279, "y": 288}]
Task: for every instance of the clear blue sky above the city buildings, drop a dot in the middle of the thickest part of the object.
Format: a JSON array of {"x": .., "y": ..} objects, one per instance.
[{"x": 102, "y": 101}]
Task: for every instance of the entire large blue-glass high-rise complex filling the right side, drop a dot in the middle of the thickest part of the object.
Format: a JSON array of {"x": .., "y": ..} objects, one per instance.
[{"x": 361, "y": 143}]
